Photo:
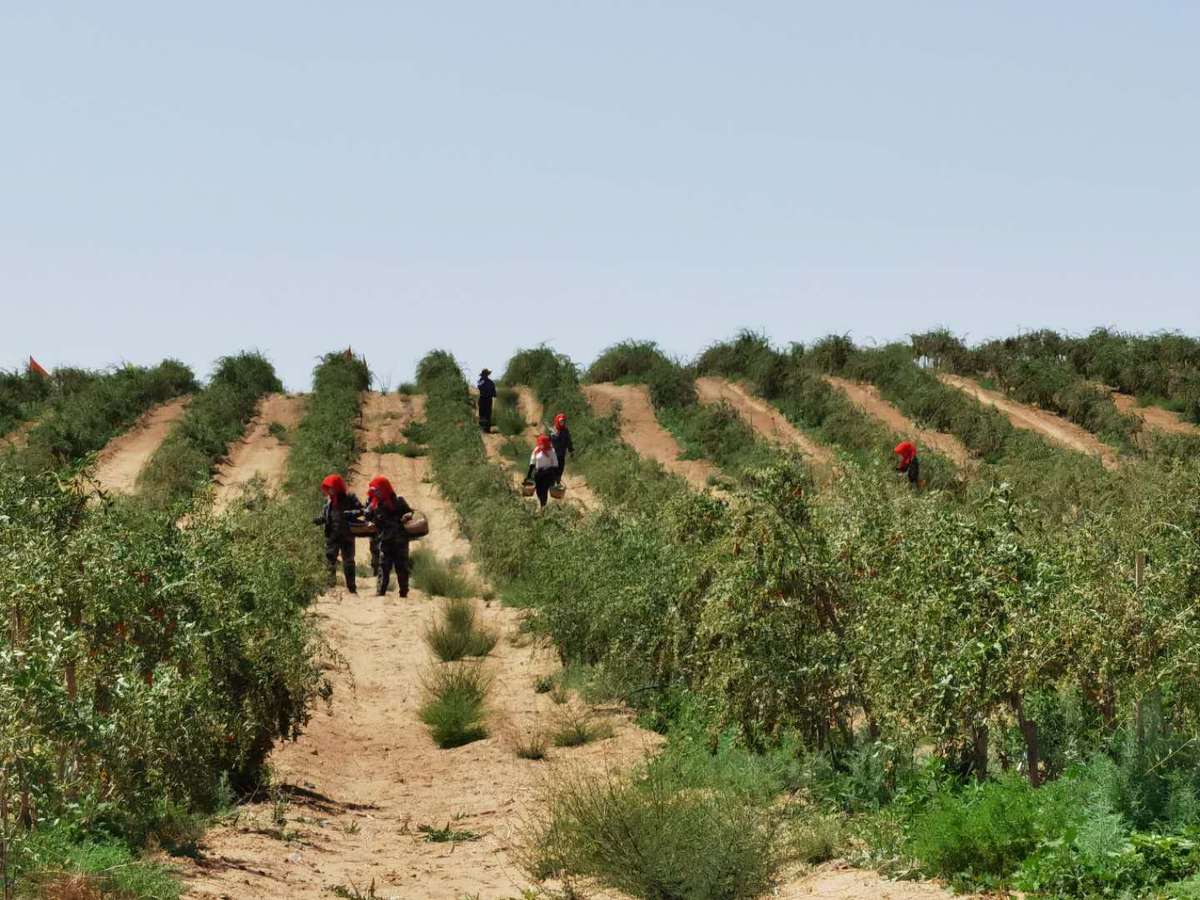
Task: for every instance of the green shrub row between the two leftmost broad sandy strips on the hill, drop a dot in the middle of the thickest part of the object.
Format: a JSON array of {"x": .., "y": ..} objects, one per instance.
[{"x": 215, "y": 418}]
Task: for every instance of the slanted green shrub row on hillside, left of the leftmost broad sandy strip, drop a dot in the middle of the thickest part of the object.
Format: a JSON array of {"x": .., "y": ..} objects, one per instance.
[{"x": 80, "y": 423}]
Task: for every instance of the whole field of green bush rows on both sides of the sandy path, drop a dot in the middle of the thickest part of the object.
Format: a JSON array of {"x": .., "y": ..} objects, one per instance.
[{"x": 994, "y": 682}]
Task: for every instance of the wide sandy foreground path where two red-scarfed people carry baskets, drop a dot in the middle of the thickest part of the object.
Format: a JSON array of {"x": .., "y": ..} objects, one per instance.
[{"x": 356, "y": 788}]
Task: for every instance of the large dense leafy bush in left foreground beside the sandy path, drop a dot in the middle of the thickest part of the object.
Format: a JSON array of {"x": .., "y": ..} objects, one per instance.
[{"x": 147, "y": 664}]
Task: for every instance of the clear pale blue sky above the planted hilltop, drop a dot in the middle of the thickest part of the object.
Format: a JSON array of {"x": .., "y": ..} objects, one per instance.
[{"x": 191, "y": 181}]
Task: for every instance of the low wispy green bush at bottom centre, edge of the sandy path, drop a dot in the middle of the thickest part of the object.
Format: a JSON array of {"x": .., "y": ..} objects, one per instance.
[{"x": 653, "y": 835}]
